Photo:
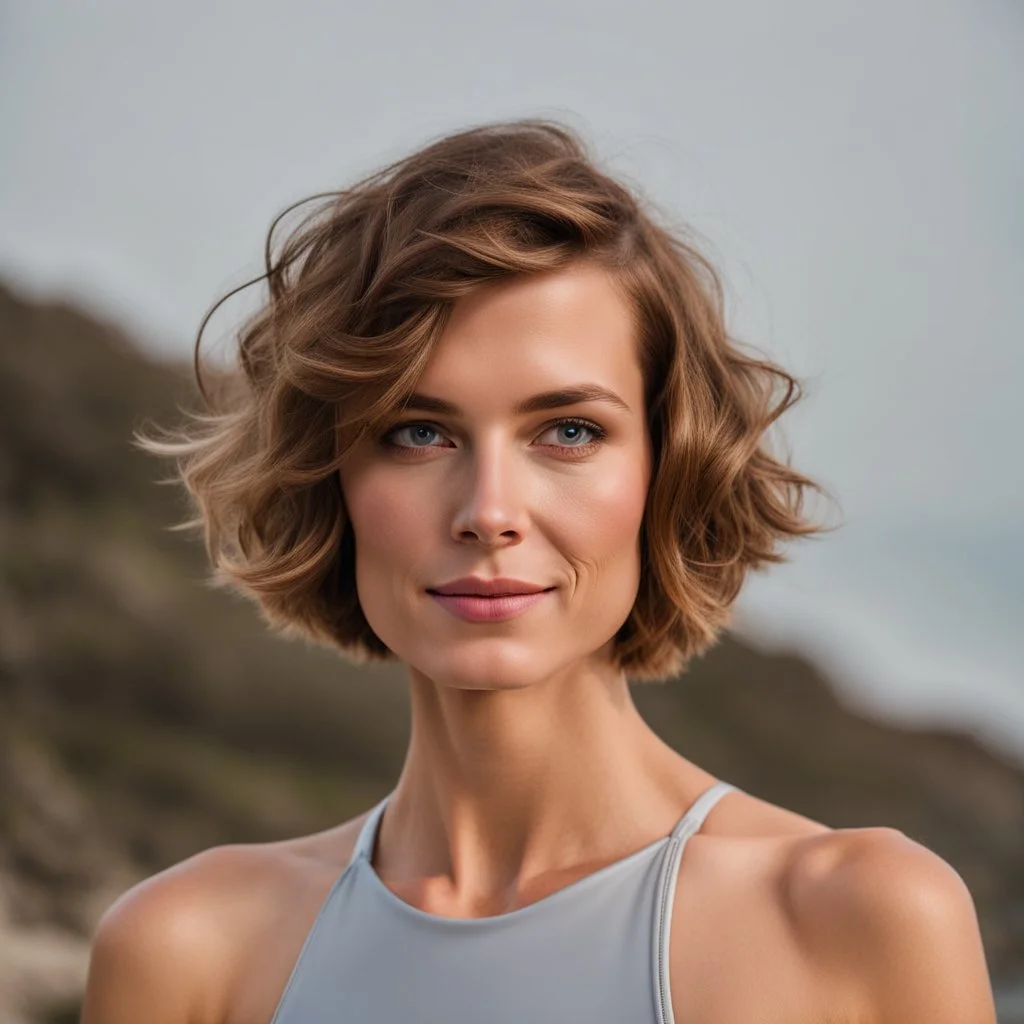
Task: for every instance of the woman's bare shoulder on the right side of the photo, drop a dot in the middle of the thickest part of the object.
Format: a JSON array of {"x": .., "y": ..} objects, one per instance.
[{"x": 843, "y": 924}]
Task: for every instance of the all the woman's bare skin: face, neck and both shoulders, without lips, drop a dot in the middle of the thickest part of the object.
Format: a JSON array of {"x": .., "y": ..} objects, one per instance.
[{"x": 529, "y": 766}]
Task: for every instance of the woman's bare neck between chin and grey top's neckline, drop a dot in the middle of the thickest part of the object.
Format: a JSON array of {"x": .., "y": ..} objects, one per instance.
[{"x": 500, "y": 788}]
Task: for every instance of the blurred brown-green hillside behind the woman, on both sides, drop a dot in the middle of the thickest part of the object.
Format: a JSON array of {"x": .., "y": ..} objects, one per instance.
[{"x": 145, "y": 716}]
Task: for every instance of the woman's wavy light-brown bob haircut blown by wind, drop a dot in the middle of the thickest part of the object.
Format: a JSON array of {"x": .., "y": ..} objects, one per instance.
[{"x": 359, "y": 295}]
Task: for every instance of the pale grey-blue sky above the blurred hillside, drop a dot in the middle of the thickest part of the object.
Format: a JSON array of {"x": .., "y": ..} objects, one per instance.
[{"x": 855, "y": 170}]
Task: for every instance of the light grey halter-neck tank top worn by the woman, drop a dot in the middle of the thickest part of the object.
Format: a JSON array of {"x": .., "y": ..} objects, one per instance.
[{"x": 596, "y": 951}]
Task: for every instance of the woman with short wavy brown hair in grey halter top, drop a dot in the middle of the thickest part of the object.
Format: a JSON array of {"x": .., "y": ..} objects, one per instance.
[{"x": 490, "y": 423}]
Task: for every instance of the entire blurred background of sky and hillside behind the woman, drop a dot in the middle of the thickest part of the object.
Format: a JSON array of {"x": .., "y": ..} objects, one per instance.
[{"x": 856, "y": 173}]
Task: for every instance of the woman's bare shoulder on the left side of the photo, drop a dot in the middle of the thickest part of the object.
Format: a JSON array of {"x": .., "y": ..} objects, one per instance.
[{"x": 175, "y": 948}]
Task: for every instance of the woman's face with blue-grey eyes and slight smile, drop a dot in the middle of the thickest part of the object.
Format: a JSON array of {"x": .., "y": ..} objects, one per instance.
[{"x": 486, "y": 489}]
